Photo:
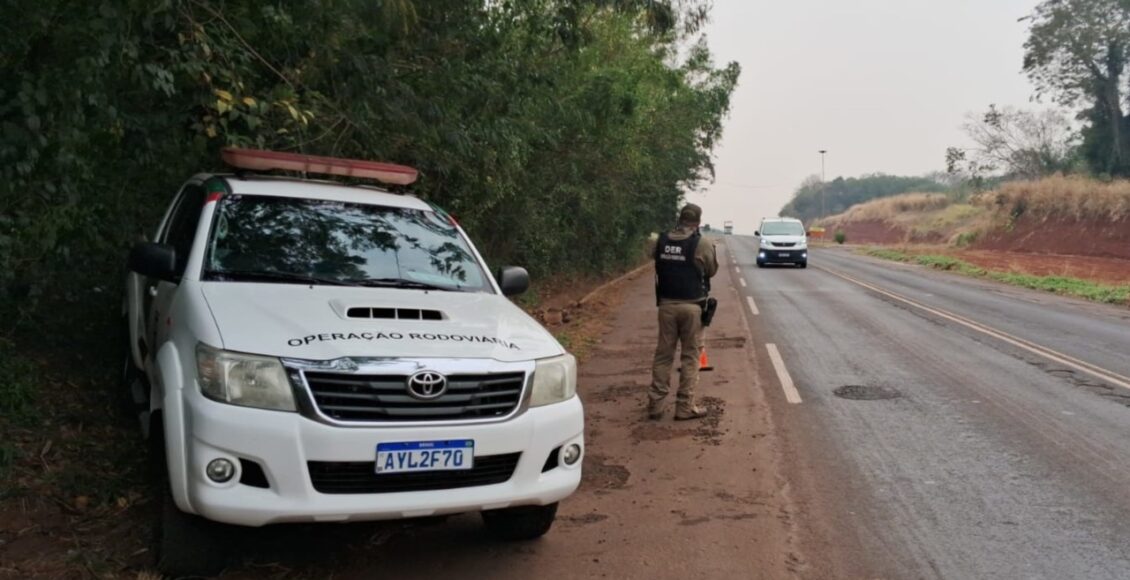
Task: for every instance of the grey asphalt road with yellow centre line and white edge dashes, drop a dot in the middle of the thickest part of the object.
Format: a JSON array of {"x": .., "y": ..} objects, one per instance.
[{"x": 1006, "y": 453}]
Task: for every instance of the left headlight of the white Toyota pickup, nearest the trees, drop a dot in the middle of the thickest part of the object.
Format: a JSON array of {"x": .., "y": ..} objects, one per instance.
[{"x": 244, "y": 379}]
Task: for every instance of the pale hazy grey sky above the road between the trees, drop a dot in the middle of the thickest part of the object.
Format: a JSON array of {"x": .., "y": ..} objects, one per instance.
[{"x": 883, "y": 85}]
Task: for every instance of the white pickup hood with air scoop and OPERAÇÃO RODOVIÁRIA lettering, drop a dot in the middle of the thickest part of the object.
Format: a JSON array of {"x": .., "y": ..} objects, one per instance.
[{"x": 321, "y": 324}]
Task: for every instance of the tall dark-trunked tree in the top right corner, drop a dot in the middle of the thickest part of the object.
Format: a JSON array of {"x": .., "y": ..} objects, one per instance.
[{"x": 1077, "y": 53}]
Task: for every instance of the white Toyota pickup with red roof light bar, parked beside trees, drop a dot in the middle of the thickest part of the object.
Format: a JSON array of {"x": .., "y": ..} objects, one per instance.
[{"x": 316, "y": 352}]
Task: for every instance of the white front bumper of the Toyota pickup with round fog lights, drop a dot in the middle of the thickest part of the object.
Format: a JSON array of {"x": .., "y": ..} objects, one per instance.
[{"x": 294, "y": 453}]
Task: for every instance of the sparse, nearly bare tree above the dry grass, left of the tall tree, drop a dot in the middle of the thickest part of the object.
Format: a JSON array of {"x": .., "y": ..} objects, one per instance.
[{"x": 1021, "y": 144}]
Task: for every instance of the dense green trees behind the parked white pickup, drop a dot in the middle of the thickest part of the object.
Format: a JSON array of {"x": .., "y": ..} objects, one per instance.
[{"x": 561, "y": 133}]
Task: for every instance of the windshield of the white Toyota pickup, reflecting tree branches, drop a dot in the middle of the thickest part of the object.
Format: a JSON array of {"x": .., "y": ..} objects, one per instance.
[{"x": 309, "y": 241}]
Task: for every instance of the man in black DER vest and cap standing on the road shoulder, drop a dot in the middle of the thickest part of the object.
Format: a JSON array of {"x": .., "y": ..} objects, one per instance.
[{"x": 684, "y": 265}]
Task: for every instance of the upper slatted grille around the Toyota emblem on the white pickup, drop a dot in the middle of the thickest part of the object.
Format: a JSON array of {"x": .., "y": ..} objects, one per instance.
[{"x": 386, "y": 399}]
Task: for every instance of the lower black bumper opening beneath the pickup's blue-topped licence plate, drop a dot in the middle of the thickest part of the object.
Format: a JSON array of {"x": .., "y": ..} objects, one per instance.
[{"x": 361, "y": 477}]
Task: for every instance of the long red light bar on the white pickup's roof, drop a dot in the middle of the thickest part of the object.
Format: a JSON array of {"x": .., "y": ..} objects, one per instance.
[{"x": 258, "y": 160}]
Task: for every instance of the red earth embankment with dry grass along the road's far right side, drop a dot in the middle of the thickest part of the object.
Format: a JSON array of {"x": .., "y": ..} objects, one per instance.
[{"x": 1056, "y": 233}]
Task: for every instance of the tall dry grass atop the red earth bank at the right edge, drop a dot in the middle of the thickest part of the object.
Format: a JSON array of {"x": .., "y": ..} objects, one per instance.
[{"x": 1080, "y": 198}]
